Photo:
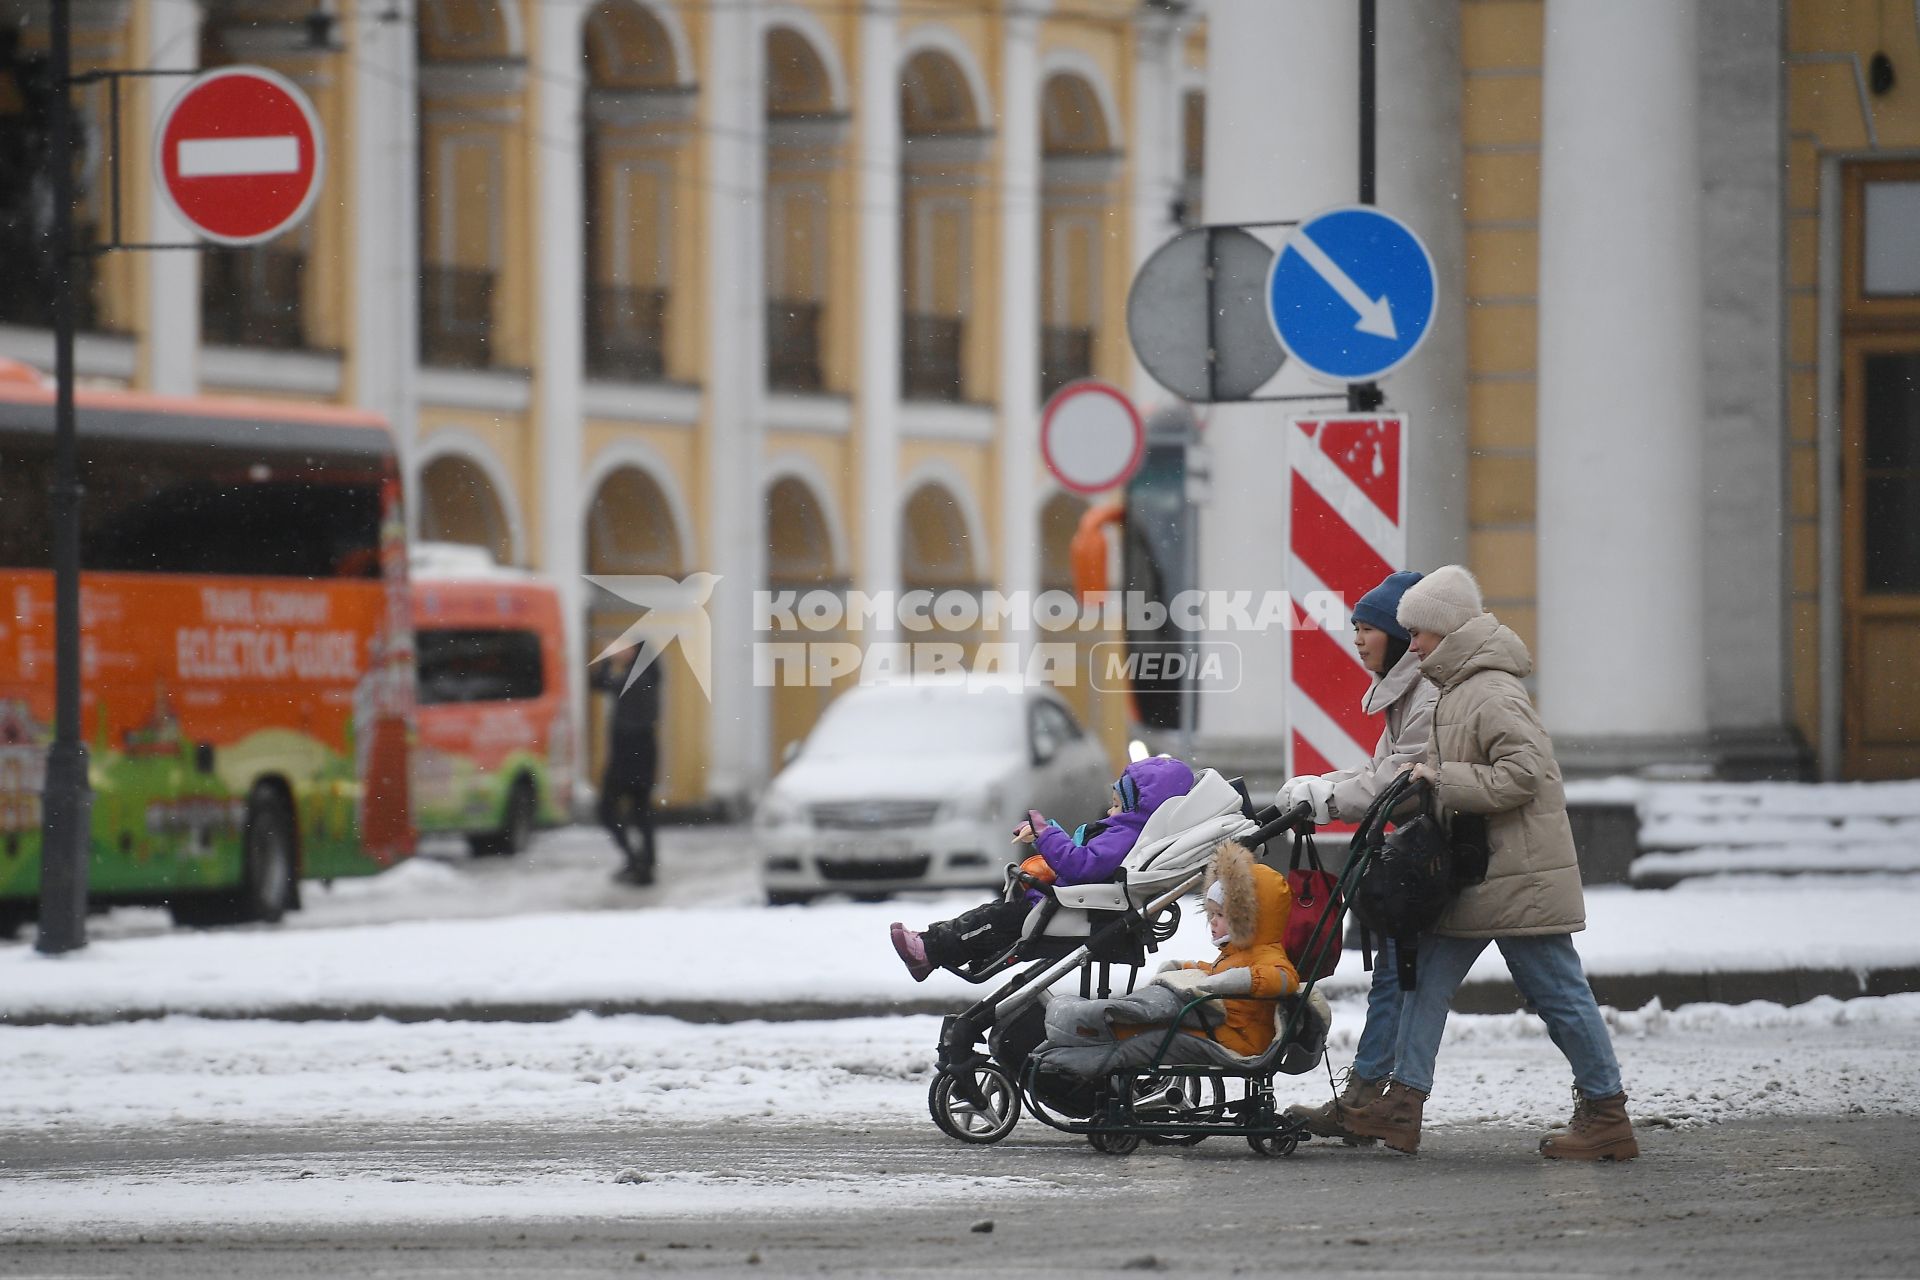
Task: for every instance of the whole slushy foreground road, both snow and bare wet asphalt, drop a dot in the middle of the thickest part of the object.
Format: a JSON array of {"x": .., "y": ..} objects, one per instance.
[{"x": 199, "y": 1149}]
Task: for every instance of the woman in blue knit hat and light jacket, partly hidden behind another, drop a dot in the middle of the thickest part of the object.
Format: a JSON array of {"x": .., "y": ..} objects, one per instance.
[{"x": 1408, "y": 701}]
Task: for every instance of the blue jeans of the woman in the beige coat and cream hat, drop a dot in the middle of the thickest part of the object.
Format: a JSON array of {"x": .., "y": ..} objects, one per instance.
[{"x": 1550, "y": 980}]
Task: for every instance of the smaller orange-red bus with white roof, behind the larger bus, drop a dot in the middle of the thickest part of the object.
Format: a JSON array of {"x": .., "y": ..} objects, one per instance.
[{"x": 496, "y": 744}]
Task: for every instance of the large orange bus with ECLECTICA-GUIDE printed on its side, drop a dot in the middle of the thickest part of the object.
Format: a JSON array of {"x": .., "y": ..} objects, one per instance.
[{"x": 247, "y": 655}]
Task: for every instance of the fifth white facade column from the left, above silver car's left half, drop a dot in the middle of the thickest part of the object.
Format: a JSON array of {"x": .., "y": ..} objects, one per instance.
[{"x": 880, "y": 306}]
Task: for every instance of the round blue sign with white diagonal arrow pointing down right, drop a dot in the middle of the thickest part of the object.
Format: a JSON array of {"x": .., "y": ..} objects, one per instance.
[{"x": 1353, "y": 295}]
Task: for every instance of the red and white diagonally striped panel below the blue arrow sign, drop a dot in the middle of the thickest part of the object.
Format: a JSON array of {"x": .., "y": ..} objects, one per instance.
[{"x": 1347, "y": 533}]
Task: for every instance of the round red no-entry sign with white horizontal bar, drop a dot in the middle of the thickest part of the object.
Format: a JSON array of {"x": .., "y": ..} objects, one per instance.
[{"x": 241, "y": 154}]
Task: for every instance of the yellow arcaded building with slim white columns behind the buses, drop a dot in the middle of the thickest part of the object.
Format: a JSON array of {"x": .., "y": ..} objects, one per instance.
[{"x": 654, "y": 287}]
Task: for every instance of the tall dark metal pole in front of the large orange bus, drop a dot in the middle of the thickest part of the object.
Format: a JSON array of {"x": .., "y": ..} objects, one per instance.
[{"x": 68, "y": 801}]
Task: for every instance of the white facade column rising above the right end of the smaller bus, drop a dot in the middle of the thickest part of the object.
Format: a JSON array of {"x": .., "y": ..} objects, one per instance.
[{"x": 560, "y": 229}]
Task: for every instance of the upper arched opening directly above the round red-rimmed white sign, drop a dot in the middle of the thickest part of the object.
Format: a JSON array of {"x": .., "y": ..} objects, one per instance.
[{"x": 1078, "y": 166}]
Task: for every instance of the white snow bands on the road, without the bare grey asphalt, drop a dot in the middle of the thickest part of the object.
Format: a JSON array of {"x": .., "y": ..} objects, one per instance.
[{"x": 646, "y": 1076}]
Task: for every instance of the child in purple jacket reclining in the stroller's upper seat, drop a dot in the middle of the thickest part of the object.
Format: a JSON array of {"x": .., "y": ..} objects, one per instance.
[{"x": 1088, "y": 857}]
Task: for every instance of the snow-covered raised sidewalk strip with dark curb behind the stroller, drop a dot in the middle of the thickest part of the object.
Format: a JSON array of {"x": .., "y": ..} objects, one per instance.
[{"x": 1733, "y": 941}]
